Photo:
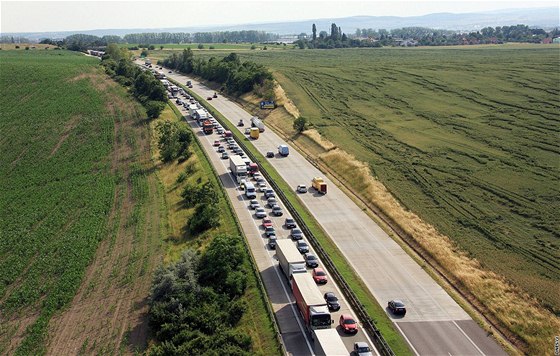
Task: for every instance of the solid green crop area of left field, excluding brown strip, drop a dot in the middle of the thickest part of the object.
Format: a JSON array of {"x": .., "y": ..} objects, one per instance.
[{"x": 56, "y": 187}]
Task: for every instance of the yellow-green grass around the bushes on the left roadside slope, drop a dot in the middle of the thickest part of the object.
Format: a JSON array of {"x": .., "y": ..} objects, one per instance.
[{"x": 256, "y": 321}]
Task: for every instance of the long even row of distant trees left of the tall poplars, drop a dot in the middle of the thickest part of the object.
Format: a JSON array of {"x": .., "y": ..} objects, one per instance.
[{"x": 200, "y": 37}]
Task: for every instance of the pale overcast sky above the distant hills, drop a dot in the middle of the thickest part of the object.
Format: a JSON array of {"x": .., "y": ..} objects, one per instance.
[{"x": 43, "y": 16}]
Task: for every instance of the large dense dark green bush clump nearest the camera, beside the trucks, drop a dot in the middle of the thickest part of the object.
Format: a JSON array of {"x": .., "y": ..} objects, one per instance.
[{"x": 196, "y": 303}]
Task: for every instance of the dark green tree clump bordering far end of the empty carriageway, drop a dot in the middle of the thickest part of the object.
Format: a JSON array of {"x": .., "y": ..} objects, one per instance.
[{"x": 237, "y": 77}]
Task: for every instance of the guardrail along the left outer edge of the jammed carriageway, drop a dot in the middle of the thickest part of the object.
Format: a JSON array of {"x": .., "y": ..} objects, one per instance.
[{"x": 260, "y": 283}]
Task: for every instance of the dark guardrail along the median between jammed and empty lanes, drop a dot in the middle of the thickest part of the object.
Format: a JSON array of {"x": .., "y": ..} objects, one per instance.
[{"x": 367, "y": 323}]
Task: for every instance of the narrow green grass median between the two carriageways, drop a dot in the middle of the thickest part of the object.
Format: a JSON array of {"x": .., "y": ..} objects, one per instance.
[{"x": 375, "y": 311}]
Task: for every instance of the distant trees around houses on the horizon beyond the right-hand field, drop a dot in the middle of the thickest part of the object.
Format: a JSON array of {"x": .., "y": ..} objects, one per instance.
[{"x": 432, "y": 37}]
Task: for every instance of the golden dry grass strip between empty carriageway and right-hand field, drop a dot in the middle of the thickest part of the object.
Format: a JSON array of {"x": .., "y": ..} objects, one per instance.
[{"x": 513, "y": 308}]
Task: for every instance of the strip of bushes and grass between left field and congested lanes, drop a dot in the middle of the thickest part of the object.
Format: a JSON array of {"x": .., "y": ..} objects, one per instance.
[{"x": 217, "y": 305}]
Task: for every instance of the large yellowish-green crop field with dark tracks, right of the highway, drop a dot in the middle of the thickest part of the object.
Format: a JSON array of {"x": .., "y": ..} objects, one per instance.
[{"x": 465, "y": 137}]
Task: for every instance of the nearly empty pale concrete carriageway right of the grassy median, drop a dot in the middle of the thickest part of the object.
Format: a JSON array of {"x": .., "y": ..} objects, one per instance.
[{"x": 434, "y": 324}]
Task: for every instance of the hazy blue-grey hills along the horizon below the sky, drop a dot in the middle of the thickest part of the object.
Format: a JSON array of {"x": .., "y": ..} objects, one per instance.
[{"x": 539, "y": 17}]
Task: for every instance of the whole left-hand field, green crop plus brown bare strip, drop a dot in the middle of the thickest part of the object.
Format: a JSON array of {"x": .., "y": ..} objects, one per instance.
[{"x": 81, "y": 212}]
